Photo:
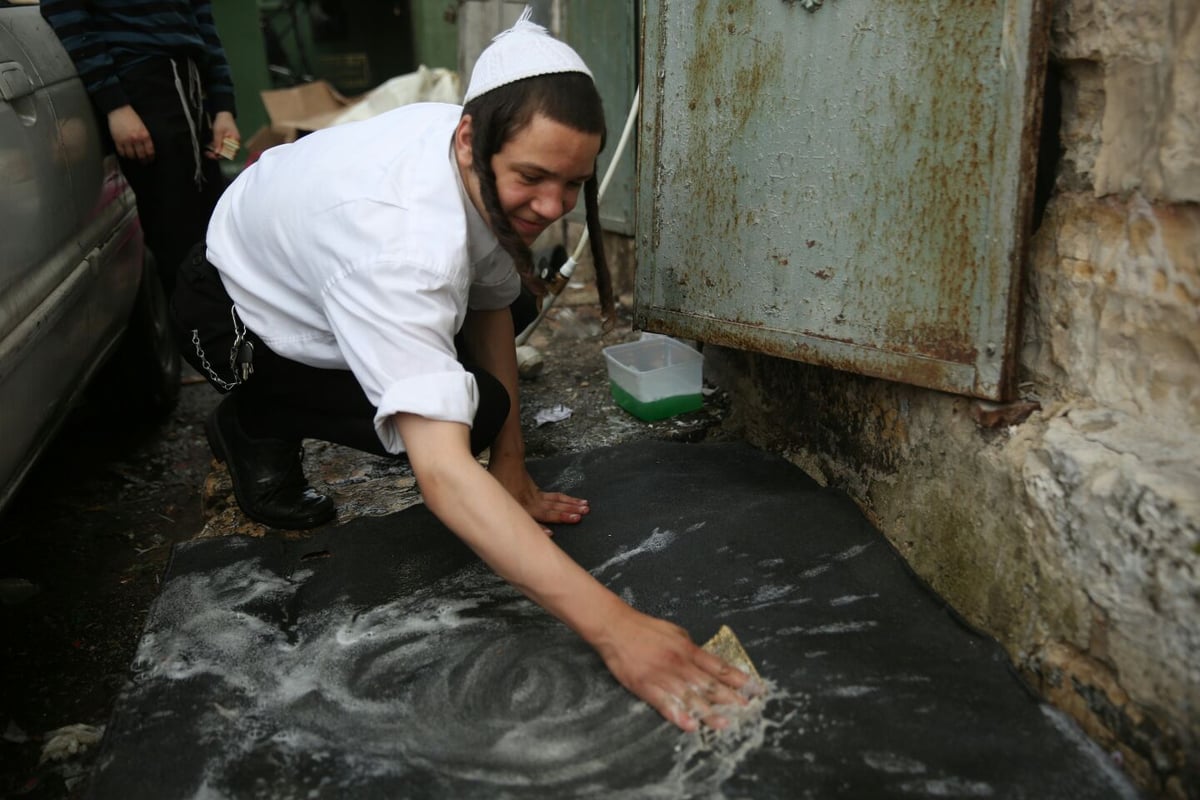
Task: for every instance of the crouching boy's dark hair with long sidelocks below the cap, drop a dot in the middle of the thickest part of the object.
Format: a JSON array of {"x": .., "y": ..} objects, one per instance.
[{"x": 567, "y": 98}]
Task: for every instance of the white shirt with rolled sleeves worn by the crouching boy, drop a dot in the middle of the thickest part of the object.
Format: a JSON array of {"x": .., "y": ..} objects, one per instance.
[{"x": 357, "y": 248}]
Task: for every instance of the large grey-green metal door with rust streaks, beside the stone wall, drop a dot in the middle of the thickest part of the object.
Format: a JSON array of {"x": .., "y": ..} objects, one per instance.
[{"x": 845, "y": 183}]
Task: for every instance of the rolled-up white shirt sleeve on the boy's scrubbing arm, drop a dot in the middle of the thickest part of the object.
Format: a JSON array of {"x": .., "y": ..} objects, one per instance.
[{"x": 400, "y": 345}]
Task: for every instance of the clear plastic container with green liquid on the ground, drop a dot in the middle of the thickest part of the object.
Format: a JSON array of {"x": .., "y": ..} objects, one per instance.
[{"x": 656, "y": 378}]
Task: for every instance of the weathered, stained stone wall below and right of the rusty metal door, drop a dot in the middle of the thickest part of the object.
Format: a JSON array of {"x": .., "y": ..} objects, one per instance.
[{"x": 1072, "y": 536}]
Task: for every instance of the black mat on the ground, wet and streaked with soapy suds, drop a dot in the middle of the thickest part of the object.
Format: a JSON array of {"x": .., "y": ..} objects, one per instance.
[{"x": 381, "y": 659}]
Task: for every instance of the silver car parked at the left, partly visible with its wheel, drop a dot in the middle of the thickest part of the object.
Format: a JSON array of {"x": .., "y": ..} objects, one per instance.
[{"x": 80, "y": 302}]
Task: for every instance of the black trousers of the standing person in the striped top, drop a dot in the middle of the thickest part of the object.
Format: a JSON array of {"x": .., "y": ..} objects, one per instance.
[{"x": 175, "y": 208}]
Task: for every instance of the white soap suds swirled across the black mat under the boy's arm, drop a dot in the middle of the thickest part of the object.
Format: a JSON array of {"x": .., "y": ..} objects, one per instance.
[{"x": 469, "y": 685}]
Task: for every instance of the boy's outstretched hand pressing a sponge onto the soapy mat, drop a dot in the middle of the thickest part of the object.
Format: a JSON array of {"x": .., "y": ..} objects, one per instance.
[{"x": 658, "y": 661}]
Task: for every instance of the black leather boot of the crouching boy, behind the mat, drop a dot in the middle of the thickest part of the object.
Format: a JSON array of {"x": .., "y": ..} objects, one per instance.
[{"x": 268, "y": 479}]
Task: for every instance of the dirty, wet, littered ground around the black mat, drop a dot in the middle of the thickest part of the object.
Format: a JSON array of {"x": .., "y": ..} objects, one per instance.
[{"x": 85, "y": 545}]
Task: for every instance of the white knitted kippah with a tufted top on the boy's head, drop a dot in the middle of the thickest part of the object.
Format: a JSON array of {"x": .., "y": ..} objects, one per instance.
[{"x": 525, "y": 51}]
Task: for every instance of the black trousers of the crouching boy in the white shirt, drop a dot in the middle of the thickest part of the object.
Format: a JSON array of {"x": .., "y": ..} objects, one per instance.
[{"x": 289, "y": 400}]
